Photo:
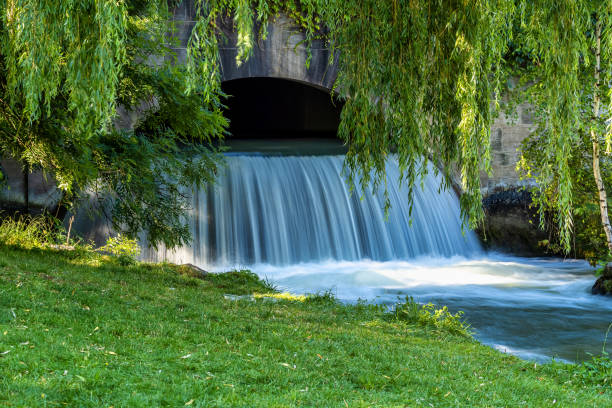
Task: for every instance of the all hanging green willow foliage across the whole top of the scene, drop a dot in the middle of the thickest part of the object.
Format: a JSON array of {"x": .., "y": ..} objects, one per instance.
[{"x": 421, "y": 78}]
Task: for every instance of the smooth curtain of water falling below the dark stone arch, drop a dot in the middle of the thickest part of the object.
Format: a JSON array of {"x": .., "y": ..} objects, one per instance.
[{"x": 283, "y": 210}]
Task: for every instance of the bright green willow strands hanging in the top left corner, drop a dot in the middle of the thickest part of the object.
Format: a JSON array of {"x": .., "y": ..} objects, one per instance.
[{"x": 75, "y": 45}]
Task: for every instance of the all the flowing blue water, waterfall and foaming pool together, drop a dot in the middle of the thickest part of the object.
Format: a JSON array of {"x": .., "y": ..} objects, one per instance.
[{"x": 293, "y": 221}]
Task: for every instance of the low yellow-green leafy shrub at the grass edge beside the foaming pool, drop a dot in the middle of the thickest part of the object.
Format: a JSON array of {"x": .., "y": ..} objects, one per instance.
[{"x": 427, "y": 315}]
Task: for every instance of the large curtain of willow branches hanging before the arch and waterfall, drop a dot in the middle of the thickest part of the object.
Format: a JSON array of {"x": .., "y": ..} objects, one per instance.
[{"x": 419, "y": 78}]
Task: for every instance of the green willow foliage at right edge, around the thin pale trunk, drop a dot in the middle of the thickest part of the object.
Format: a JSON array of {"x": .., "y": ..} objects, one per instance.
[{"x": 566, "y": 77}]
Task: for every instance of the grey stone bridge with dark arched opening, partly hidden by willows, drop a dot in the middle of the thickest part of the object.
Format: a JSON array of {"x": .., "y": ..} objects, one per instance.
[{"x": 281, "y": 56}]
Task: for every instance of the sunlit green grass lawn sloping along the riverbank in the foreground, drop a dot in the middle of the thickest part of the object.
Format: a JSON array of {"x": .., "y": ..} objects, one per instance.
[{"x": 79, "y": 330}]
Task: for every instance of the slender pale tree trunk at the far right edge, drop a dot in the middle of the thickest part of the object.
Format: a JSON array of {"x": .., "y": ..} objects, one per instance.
[{"x": 603, "y": 199}]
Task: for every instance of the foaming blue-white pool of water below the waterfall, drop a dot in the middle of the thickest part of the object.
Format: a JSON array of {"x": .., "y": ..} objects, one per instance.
[{"x": 534, "y": 308}]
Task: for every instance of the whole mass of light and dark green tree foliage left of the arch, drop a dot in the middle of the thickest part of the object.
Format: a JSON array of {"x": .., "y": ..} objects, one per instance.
[{"x": 65, "y": 68}]
